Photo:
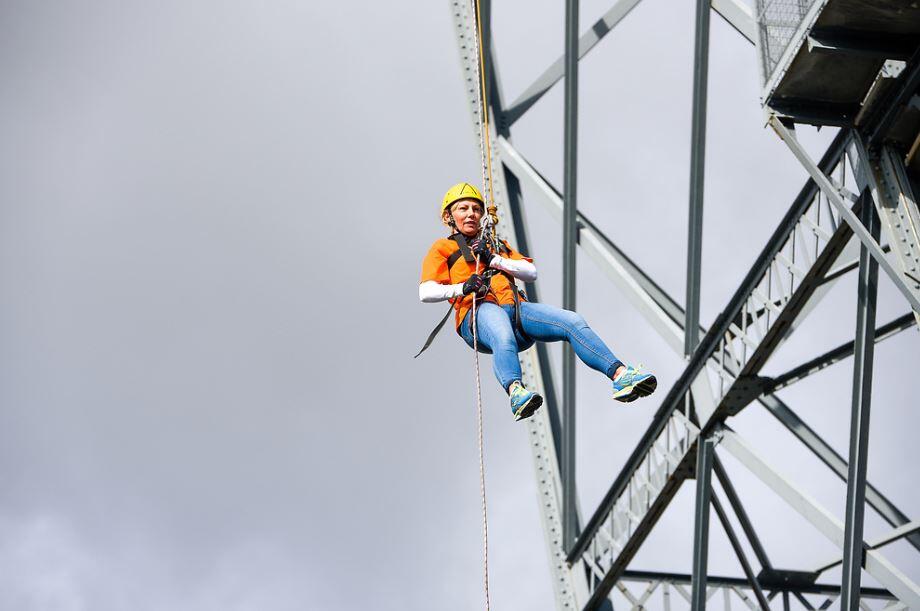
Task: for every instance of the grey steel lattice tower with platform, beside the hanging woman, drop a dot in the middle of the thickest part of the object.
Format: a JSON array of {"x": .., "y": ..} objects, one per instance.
[{"x": 863, "y": 77}]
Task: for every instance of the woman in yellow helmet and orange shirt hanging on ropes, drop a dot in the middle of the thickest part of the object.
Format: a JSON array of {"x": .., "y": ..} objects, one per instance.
[{"x": 505, "y": 322}]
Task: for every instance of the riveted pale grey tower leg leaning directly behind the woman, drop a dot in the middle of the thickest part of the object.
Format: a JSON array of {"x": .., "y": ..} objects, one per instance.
[{"x": 568, "y": 582}]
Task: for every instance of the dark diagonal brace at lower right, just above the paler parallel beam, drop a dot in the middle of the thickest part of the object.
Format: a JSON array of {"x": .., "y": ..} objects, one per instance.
[{"x": 834, "y": 461}]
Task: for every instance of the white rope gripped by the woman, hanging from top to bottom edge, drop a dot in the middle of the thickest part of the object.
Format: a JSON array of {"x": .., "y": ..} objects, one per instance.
[{"x": 485, "y": 155}]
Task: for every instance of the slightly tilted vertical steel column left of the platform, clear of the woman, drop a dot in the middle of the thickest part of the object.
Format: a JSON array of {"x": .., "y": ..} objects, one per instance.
[{"x": 697, "y": 175}]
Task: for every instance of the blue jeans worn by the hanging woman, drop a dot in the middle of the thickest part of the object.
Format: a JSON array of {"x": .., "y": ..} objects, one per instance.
[{"x": 498, "y": 335}]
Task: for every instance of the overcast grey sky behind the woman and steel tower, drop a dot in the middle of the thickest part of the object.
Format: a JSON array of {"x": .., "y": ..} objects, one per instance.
[{"x": 212, "y": 217}]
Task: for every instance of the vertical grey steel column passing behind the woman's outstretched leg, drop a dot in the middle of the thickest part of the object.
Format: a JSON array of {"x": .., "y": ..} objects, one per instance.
[{"x": 569, "y": 229}]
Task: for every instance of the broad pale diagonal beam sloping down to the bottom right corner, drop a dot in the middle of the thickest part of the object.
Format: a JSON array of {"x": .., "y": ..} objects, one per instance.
[{"x": 826, "y": 523}]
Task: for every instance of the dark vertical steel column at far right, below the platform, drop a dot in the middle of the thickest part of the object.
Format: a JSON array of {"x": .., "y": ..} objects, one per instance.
[{"x": 867, "y": 293}]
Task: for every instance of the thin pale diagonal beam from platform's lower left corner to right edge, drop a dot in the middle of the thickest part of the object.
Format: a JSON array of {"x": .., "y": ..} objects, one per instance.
[{"x": 836, "y": 198}]
